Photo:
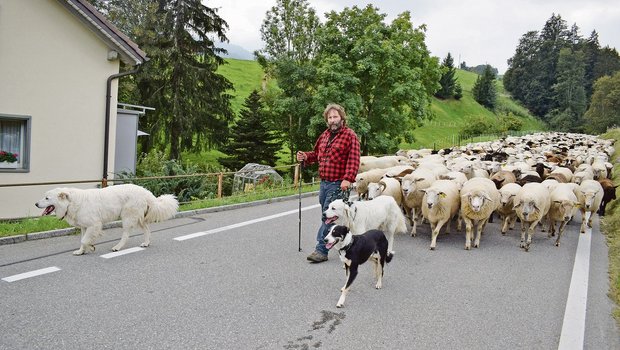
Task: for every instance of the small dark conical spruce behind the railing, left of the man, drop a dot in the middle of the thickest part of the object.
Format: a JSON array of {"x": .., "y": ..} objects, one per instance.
[{"x": 251, "y": 140}]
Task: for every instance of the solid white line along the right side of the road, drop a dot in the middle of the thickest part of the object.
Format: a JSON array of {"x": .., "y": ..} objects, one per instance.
[{"x": 574, "y": 324}]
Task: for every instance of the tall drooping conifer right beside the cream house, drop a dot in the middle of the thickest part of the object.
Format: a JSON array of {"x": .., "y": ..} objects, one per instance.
[{"x": 192, "y": 106}]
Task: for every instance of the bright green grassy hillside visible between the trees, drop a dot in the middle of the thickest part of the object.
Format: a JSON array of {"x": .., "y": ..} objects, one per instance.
[{"x": 449, "y": 116}]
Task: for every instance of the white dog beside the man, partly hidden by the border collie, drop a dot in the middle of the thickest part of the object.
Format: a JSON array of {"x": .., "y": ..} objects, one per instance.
[{"x": 381, "y": 213}]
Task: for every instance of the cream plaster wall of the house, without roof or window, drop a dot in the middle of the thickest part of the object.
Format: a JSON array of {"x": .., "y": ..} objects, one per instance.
[{"x": 54, "y": 69}]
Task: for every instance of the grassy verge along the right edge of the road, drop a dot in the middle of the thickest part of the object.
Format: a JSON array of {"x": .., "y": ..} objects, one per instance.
[{"x": 611, "y": 228}]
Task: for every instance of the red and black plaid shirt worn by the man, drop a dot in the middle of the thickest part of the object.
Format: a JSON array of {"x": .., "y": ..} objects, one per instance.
[{"x": 338, "y": 159}]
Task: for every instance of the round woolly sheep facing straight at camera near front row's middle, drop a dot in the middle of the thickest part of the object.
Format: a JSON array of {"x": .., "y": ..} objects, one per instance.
[{"x": 479, "y": 199}]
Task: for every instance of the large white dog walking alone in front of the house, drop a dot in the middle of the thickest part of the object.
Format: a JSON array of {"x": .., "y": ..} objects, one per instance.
[{"x": 91, "y": 208}]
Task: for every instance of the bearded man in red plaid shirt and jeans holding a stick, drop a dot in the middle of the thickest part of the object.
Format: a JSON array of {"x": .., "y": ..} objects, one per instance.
[{"x": 337, "y": 151}]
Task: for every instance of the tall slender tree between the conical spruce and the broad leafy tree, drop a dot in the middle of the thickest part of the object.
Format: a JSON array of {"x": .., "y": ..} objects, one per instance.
[{"x": 289, "y": 32}]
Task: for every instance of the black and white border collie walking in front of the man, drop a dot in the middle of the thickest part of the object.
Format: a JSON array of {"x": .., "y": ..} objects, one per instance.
[{"x": 355, "y": 250}]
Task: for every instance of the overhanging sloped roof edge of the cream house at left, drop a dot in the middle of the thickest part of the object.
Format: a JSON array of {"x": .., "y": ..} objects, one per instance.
[{"x": 128, "y": 50}]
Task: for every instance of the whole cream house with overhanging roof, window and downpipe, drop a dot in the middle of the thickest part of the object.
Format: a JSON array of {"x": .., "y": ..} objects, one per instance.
[{"x": 58, "y": 58}]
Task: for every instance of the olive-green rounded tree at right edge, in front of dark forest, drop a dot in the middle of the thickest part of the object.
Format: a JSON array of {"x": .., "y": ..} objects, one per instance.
[{"x": 604, "y": 111}]
